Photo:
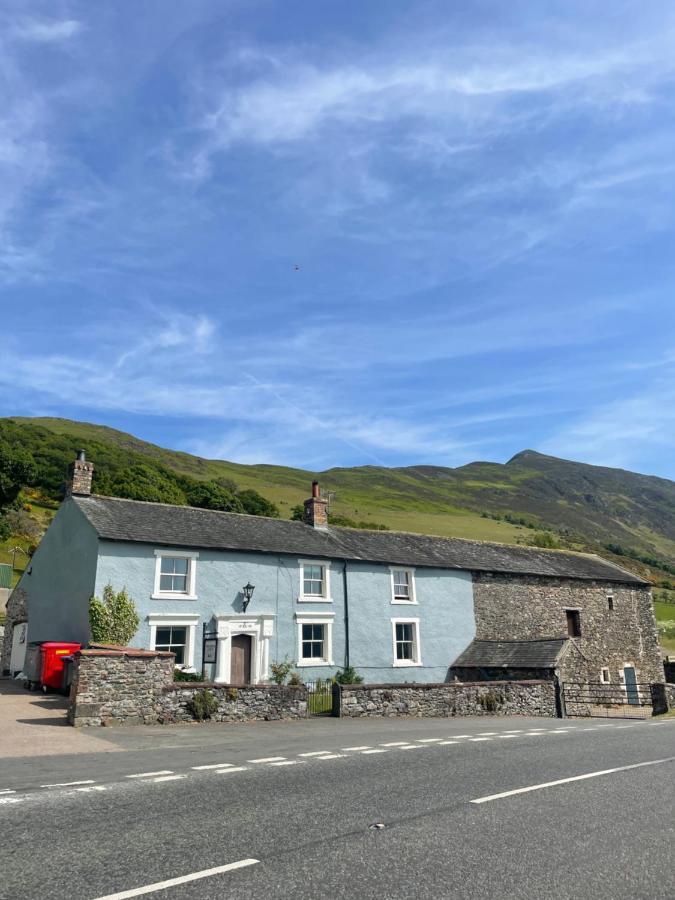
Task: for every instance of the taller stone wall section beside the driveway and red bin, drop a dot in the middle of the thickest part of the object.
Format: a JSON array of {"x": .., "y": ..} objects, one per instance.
[{"x": 115, "y": 687}]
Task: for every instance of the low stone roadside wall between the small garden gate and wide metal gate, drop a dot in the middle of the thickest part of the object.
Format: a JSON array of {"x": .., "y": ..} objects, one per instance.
[{"x": 494, "y": 698}]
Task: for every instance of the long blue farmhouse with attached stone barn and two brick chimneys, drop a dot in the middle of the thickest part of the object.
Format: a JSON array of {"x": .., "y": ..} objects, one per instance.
[{"x": 398, "y": 607}]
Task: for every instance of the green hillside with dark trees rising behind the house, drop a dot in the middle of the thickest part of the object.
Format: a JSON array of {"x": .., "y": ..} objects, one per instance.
[{"x": 531, "y": 499}]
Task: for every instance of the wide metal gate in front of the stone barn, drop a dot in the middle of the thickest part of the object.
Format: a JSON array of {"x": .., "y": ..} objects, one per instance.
[{"x": 598, "y": 699}]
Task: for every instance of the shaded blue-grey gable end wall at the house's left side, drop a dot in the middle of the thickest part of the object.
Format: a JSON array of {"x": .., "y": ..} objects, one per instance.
[{"x": 63, "y": 571}]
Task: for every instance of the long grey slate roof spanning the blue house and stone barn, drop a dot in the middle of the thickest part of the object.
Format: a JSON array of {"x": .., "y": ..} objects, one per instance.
[{"x": 185, "y": 526}]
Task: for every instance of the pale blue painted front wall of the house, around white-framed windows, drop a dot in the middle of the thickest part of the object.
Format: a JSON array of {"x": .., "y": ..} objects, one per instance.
[{"x": 444, "y": 606}]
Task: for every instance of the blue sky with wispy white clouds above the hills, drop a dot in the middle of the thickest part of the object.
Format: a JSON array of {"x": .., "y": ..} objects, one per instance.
[{"x": 324, "y": 234}]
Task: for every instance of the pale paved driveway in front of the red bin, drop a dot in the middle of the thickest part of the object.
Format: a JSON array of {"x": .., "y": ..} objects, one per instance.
[{"x": 34, "y": 724}]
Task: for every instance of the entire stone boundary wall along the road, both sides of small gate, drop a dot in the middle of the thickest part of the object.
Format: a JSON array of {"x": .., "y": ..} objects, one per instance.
[{"x": 125, "y": 686}]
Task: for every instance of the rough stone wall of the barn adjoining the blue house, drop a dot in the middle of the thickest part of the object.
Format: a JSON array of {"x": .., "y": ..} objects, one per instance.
[{"x": 529, "y": 607}]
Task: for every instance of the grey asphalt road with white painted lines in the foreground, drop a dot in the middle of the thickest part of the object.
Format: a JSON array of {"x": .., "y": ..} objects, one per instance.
[{"x": 307, "y": 822}]
